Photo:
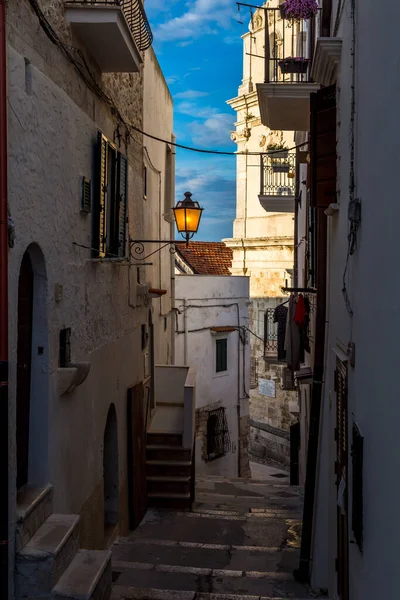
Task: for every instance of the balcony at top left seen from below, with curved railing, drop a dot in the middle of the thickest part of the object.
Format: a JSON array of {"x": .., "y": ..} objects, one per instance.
[{"x": 115, "y": 32}]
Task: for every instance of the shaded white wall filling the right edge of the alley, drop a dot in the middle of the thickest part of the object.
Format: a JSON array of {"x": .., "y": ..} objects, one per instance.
[{"x": 373, "y": 286}]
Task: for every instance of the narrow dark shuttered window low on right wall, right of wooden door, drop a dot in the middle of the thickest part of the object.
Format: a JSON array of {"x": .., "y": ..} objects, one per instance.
[{"x": 357, "y": 500}]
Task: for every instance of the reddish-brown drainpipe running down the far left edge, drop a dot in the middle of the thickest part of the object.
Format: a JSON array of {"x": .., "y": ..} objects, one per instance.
[{"x": 3, "y": 311}]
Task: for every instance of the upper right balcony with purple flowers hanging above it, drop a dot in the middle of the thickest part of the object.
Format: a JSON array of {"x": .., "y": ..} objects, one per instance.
[{"x": 284, "y": 97}]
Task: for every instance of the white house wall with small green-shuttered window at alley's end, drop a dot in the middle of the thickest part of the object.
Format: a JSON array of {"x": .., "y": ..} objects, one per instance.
[{"x": 215, "y": 301}]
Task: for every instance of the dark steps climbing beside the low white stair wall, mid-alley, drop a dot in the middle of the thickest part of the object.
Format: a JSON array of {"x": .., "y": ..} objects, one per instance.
[{"x": 168, "y": 471}]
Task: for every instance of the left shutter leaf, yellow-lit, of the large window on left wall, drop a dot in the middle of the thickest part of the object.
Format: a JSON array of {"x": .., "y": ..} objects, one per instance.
[{"x": 100, "y": 201}]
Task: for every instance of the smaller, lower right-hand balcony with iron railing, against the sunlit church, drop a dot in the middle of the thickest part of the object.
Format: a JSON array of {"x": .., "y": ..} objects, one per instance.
[{"x": 278, "y": 183}]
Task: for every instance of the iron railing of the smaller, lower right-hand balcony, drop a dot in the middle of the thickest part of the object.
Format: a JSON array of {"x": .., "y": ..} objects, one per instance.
[{"x": 278, "y": 174}]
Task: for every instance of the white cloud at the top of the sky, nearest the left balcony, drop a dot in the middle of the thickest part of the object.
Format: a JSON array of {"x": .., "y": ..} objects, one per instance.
[{"x": 200, "y": 19}]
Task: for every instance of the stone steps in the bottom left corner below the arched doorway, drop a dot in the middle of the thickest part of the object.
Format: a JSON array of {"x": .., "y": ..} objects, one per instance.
[{"x": 49, "y": 563}]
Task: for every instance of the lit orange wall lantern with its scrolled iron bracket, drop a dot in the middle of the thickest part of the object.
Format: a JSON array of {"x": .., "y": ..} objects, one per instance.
[{"x": 187, "y": 215}]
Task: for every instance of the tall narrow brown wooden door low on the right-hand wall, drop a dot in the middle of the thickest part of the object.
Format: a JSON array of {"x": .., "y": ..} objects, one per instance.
[{"x": 342, "y": 480}]
